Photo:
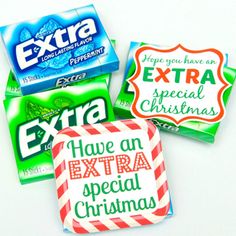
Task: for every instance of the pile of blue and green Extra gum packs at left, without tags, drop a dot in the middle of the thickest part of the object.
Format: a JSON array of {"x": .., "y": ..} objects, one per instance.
[{"x": 46, "y": 54}]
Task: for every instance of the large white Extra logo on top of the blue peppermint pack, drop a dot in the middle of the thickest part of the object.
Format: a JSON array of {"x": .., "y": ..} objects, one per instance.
[{"x": 34, "y": 51}]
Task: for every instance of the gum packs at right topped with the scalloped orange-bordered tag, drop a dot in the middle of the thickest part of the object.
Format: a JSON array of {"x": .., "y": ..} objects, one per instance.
[{"x": 180, "y": 90}]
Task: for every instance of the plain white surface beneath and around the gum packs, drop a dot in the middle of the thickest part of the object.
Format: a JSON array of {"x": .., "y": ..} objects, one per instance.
[{"x": 201, "y": 176}]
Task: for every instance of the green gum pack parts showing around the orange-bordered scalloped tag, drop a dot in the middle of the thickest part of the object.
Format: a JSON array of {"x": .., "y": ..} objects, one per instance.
[{"x": 194, "y": 129}]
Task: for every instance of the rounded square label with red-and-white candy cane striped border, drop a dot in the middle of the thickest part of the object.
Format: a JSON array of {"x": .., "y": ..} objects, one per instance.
[{"x": 110, "y": 176}]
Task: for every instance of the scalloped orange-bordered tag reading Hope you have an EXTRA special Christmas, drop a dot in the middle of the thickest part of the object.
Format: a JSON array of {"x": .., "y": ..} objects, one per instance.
[{"x": 179, "y": 84}]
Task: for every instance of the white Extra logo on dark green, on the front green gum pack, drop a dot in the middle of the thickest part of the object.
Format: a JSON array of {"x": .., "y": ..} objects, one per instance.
[{"x": 35, "y": 136}]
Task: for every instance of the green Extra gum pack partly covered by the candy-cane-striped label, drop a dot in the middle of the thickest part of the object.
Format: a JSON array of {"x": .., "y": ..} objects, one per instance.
[{"x": 35, "y": 119}]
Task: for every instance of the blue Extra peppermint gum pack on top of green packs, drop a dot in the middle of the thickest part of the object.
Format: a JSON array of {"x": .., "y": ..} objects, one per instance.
[{"x": 56, "y": 50}]
